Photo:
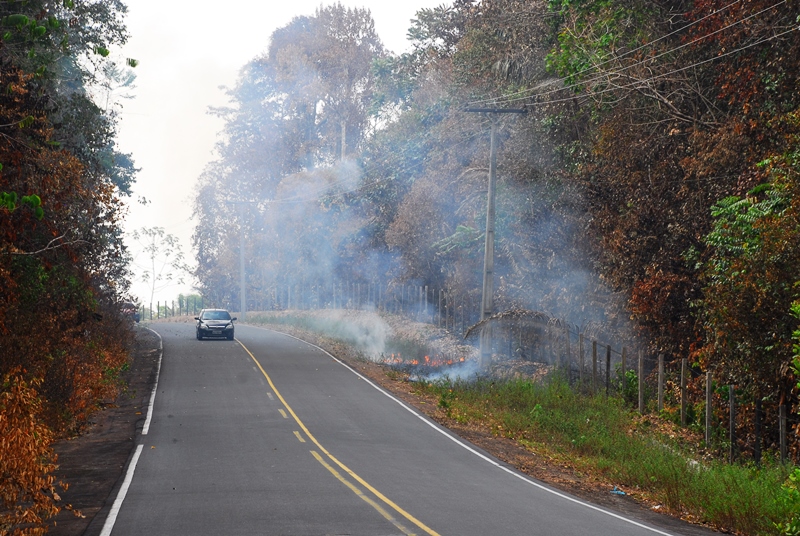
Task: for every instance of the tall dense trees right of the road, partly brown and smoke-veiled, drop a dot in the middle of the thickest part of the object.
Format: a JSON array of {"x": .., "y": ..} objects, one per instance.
[{"x": 650, "y": 189}]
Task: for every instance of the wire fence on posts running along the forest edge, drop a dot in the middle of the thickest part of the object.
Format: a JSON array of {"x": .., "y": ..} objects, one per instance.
[{"x": 649, "y": 383}]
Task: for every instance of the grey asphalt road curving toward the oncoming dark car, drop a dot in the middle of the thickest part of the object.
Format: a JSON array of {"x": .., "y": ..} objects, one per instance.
[{"x": 269, "y": 435}]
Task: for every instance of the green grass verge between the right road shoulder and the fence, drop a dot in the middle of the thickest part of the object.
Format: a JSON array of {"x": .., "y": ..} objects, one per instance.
[{"x": 601, "y": 436}]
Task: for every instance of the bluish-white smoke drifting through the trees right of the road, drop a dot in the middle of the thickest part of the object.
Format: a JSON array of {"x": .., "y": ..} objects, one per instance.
[{"x": 342, "y": 216}]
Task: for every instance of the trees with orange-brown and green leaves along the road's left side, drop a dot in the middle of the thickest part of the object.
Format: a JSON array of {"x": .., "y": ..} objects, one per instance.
[{"x": 63, "y": 336}]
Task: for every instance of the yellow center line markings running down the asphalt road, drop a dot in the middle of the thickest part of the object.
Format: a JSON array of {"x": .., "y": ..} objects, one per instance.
[{"x": 354, "y": 488}]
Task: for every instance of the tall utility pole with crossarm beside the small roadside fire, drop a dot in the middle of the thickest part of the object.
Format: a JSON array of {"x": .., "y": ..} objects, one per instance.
[{"x": 487, "y": 298}]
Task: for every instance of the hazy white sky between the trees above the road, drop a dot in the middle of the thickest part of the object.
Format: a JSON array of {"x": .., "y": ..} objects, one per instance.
[{"x": 187, "y": 50}]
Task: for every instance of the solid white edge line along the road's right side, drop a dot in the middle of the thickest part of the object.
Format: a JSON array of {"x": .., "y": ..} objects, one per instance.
[{"x": 463, "y": 445}]
